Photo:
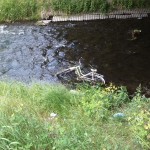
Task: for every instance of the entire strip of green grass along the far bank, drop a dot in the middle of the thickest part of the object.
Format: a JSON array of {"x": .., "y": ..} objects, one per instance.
[{"x": 12, "y": 10}]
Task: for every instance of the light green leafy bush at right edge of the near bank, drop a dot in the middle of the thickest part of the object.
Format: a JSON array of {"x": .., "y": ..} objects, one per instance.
[{"x": 139, "y": 119}]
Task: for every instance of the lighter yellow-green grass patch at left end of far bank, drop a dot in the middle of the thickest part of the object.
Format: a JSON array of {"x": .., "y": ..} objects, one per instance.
[{"x": 11, "y": 10}]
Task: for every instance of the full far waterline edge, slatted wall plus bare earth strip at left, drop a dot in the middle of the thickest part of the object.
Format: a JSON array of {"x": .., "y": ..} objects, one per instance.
[{"x": 61, "y": 17}]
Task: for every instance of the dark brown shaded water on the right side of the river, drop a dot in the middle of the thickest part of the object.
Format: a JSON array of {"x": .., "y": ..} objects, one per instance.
[{"x": 107, "y": 45}]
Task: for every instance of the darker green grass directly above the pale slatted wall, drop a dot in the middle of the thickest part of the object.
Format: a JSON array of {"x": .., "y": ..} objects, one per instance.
[{"x": 87, "y": 6}]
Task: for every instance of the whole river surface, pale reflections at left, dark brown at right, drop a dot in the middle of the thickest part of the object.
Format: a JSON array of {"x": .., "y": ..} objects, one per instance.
[{"x": 32, "y": 53}]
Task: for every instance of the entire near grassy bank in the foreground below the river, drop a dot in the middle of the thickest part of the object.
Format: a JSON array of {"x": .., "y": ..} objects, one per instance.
[{"x": 84, "y": 118}]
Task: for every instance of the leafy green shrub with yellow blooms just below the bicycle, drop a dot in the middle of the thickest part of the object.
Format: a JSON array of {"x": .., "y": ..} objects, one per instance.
[{"x": 97, "y": 102}]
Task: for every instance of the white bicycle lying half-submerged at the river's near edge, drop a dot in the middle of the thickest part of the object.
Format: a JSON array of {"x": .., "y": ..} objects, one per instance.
[{"x": 91, "y": 76}]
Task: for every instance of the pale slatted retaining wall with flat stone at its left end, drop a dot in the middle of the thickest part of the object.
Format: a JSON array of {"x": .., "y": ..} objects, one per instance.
[{"x": 118, "y": 14}]
